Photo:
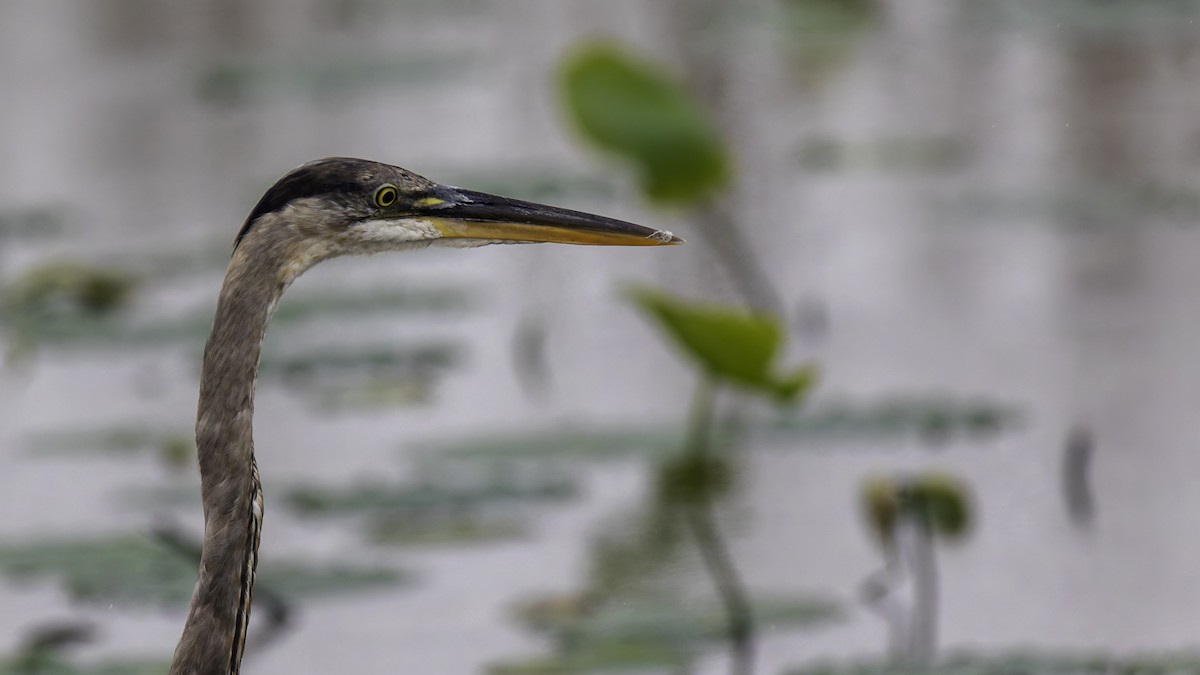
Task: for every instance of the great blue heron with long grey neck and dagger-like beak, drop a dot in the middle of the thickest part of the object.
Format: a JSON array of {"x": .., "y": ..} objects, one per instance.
[{"x": 327, "y": 208}]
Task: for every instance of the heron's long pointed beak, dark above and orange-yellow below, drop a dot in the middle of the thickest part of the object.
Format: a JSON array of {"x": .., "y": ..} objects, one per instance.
[{"x": 465, "y": 214}]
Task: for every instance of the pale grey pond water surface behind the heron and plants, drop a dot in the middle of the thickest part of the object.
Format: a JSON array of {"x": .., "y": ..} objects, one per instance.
[{"x": 988, "y": 201}]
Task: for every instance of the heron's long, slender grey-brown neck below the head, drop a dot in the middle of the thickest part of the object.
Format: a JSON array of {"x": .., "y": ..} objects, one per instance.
[{"x": 214, "y": 635}]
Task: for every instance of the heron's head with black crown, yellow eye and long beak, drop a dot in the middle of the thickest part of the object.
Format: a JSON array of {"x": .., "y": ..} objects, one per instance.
[{"x": 344, "y": 206}]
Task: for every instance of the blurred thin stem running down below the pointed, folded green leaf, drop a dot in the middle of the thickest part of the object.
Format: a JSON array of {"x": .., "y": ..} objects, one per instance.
[{"x": 700, "y": 518}]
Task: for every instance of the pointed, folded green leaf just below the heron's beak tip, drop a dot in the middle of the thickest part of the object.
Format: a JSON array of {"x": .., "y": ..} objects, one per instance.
[{"x": 727, "y": 343}]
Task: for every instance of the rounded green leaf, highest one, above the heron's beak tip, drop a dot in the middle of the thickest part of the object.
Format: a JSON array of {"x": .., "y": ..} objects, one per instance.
[{"x": 627, "y": 106}]
